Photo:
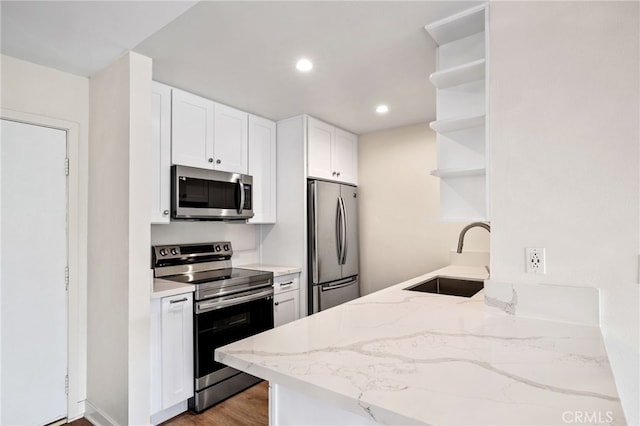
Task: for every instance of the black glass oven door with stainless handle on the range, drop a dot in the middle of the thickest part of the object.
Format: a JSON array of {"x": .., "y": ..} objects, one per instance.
[{"x": 223, "y": 320}]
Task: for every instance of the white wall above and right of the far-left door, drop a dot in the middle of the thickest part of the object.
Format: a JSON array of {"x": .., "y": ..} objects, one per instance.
[{"x": 45, "y": 95}]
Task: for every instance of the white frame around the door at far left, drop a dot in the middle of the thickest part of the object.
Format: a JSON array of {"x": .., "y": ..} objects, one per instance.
[{"x": 77, "y": 258}]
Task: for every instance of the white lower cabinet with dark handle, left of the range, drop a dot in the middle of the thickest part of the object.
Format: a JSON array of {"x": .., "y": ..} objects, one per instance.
[{"x": 171, "y": 354}]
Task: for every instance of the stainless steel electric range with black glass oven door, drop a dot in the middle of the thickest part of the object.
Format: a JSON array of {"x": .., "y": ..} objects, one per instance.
[{"x": 229, "y": 304}]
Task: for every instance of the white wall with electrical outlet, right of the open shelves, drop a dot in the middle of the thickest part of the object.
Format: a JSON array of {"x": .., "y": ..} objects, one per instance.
[{"x": 564, "y": 150}]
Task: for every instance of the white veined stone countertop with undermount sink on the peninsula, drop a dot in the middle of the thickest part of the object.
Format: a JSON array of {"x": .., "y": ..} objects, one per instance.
[{"x": 403, "y": 357}]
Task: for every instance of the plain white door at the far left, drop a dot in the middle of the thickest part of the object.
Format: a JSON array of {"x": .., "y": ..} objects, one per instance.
[{"x": 32, "y": 264}]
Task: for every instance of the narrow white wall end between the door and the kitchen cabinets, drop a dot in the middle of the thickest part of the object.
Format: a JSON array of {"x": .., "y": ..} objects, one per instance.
[{"x": 119, "y": 240}]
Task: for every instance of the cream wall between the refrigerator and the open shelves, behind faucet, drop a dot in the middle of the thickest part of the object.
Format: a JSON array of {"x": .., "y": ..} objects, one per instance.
[{"x": 401, "y": 235}]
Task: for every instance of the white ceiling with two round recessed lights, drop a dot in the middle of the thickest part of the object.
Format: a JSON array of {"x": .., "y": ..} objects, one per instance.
[{"x": 243, "y": 53}]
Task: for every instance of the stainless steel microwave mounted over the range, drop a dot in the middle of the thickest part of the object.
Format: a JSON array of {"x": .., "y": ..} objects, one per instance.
[{"x": 202, "y": 194}]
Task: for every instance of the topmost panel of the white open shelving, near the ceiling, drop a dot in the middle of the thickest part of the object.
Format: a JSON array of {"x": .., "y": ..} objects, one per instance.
[{"x": 457, "y": 26}]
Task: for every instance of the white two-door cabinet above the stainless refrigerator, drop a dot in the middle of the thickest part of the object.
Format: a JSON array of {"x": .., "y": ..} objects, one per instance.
[{"x": 331, "y": 152}]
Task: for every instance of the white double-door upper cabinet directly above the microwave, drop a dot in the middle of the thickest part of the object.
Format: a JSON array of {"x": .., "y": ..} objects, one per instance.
[{"x": 208, "y": 135}]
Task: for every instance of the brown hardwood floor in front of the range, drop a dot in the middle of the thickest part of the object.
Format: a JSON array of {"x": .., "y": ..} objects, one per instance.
[{"x": 248, "y": 408}]
